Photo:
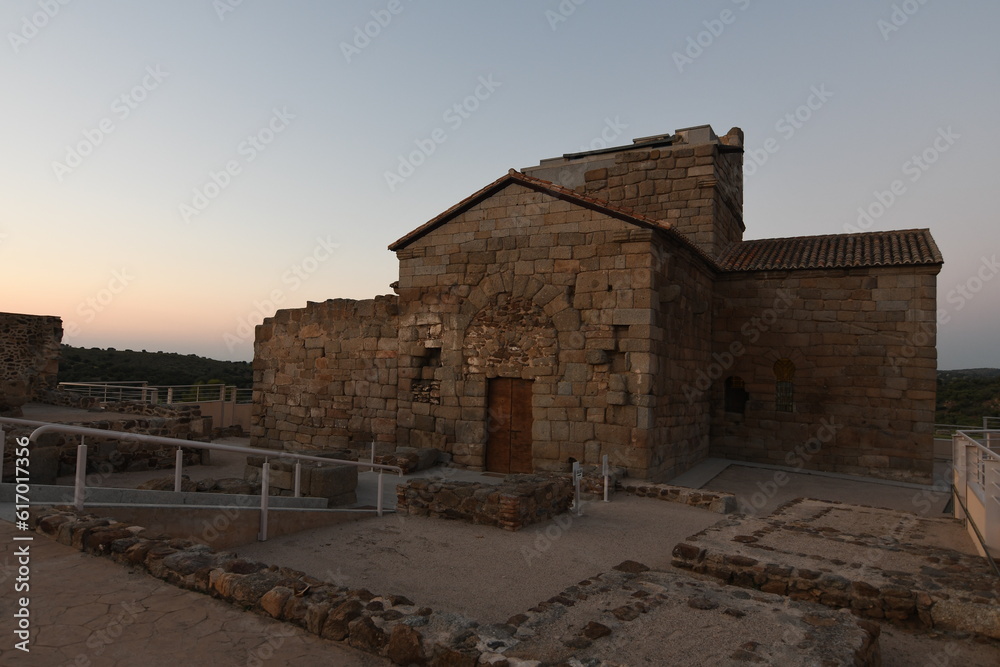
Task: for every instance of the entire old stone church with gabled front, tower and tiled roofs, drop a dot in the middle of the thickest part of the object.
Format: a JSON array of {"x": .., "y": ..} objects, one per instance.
[{"x": 606, "y": 303}]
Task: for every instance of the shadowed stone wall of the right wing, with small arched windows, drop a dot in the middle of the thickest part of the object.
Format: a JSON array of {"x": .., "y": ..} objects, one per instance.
[{"x": 858, "y": 348}]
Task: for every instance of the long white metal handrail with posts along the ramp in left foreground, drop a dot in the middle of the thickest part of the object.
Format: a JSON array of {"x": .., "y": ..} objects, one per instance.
[{"x": 79, "y": 487}]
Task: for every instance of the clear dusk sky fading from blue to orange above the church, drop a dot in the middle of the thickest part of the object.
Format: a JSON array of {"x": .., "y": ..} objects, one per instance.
[{"x": 172, "y": 172}]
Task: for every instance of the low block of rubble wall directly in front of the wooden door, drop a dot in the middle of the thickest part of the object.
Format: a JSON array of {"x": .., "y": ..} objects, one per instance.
[{"x": 518, "y": 501}]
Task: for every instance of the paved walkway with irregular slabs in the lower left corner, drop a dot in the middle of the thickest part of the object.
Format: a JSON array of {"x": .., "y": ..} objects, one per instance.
[{"x": 86, "y": 610}]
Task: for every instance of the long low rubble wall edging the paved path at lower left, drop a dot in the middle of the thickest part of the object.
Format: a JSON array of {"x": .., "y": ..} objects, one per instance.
[{"x": 386, "y": 625}]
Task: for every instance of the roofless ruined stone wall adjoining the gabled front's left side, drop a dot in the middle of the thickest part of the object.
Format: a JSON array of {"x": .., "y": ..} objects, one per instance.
[{"x": 325, "y": 376}]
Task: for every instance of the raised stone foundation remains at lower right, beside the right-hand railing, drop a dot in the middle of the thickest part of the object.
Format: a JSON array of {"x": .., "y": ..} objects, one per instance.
[{"x": 880, "y": 563}]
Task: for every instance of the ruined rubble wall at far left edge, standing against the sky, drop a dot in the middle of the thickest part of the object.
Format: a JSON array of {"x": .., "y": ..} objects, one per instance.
[{"x": 29, "y": 358}]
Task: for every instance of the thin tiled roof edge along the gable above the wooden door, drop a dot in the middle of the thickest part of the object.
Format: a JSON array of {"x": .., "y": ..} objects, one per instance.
[{"x": 539, "y": 185}]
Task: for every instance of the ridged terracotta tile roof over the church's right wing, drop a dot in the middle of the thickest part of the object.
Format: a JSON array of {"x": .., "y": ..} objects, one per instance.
[{"x": 909, "y": 247}]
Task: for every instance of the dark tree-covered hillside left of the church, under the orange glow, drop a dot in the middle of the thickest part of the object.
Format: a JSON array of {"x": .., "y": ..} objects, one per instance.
[{"x": 78, "y": 364}]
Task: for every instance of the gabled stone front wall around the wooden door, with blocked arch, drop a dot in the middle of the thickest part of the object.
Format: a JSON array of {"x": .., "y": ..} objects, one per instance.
[{"x": 527, "y": 286}]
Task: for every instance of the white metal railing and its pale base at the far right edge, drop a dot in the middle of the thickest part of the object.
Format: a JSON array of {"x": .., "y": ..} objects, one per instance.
[{"x": 976, "y": 461}]
